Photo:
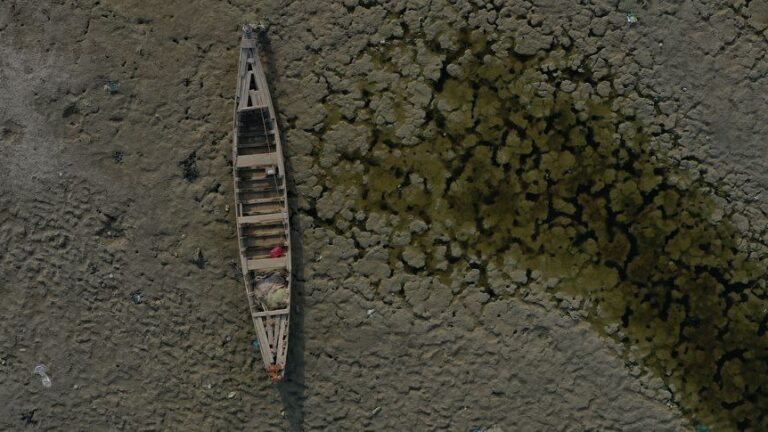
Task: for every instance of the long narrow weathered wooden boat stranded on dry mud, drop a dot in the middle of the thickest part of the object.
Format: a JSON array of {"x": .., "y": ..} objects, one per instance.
[{"x": 262, "y": 209}]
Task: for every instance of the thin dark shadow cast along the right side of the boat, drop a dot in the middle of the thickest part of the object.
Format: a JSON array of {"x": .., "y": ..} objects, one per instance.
[{"x": 292, "y": 389}]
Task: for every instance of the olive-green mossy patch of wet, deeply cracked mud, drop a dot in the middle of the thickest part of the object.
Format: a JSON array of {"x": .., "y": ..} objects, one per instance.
[{"x": 530, "y": 177}]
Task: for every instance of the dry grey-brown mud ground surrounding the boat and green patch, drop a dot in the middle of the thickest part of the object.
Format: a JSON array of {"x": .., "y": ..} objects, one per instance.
[{"x": 106, "y": 199}]
